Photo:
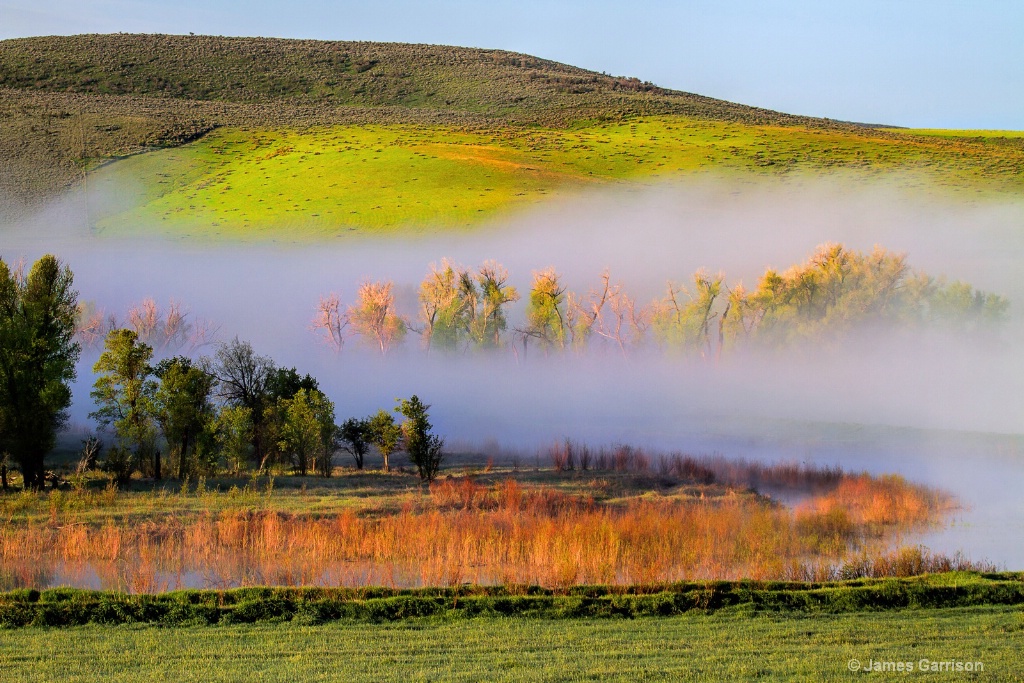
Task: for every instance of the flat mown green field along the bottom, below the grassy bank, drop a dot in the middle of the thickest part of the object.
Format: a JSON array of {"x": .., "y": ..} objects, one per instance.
[{"x": 693, "y": 648}]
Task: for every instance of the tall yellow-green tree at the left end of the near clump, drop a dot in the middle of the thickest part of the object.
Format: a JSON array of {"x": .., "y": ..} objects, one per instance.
[{"x": 124, "y": 394}]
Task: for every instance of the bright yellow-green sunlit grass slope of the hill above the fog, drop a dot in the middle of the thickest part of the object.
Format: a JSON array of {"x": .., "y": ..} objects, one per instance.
[{"x": 244, "y": 184}]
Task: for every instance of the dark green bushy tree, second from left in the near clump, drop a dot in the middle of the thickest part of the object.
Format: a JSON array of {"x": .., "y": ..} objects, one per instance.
[{"x": 184, "y": 408}]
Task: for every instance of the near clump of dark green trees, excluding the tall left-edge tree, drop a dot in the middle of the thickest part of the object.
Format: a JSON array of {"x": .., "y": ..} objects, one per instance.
[{"x": 238, "y": 412}]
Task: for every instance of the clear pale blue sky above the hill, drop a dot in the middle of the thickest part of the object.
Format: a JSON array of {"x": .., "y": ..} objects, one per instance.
[{"x": 937, "y": 64}]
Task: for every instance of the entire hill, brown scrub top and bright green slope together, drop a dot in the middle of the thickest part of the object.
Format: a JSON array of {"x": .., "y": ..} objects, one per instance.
[{"x": 342, "y": 137}]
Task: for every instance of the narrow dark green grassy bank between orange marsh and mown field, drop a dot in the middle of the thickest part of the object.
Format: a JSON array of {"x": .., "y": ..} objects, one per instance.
[{"x": 66, "y": 608}]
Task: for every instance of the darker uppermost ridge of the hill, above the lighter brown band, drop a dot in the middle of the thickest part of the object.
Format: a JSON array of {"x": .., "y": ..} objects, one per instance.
[{"x": 498, "y": 84}]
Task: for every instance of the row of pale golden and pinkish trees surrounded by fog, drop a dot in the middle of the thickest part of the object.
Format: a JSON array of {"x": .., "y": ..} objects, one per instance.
[{"x": 835, "y": 292}]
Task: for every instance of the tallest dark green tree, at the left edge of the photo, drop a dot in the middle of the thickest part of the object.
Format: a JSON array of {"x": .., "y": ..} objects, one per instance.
[{"x": 38, "y": 354}]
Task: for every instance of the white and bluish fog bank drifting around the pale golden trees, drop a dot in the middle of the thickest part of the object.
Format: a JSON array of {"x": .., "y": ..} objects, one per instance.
[{"x": 872, "y": 404}]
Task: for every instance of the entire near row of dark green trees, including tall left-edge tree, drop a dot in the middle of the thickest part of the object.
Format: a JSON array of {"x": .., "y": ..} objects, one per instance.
[{"x": 232, "y": 413}]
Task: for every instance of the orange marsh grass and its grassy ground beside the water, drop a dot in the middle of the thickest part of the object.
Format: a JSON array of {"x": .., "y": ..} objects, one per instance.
[{"x": 631, "y": 519}]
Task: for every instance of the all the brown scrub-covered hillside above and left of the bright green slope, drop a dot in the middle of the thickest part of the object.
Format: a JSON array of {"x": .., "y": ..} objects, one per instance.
[{"x": 67, "y": 103}]
